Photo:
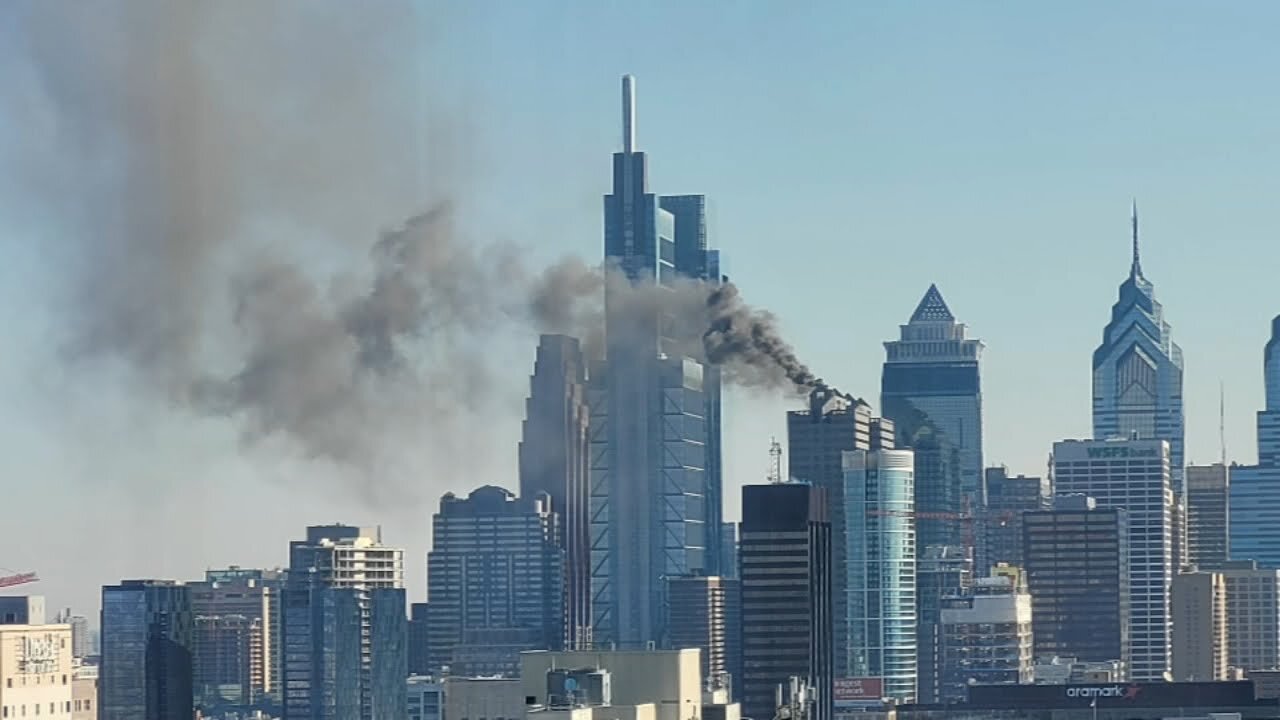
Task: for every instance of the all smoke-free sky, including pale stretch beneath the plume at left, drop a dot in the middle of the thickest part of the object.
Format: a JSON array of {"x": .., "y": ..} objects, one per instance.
[{"x": 853, "y": 153}]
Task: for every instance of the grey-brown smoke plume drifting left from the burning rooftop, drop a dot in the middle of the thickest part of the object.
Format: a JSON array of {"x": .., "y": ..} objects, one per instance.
[{"x": 213, "y": 167}]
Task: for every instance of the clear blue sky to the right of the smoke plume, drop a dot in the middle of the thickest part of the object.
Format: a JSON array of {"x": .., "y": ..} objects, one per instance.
[{"x": 857, "y": 152}]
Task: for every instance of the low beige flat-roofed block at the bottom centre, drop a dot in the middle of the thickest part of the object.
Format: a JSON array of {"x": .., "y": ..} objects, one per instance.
[{"x": 670, "y": 680}]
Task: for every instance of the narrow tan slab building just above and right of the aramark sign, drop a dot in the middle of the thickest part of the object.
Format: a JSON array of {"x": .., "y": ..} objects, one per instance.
[{"x": 1199, "y": 607}]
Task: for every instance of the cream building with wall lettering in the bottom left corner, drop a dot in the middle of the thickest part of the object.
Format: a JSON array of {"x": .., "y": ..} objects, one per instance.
[{"x": 36, "y": 672}]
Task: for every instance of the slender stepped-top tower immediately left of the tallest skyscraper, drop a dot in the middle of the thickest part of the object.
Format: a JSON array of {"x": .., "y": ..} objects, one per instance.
[{"x": 555, "y": 461}]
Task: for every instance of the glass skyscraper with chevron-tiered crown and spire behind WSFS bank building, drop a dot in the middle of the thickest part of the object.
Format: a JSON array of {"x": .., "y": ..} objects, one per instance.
[{"x": 1139, "y": 371}]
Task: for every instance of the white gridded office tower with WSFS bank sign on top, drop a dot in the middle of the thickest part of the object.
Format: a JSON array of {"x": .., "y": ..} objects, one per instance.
[{"x": 1135, "y": 476}]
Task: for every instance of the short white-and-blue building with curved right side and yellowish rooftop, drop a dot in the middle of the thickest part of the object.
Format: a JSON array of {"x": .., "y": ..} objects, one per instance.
[{"x": 986, "y": 639}]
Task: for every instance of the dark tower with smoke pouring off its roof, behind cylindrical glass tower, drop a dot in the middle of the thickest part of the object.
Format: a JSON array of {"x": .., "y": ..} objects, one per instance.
[{"x": 817, "y": 440}]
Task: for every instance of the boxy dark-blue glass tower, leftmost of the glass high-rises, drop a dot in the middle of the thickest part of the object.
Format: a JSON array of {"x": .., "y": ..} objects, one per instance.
[{"x": 147, "y": 671}]
